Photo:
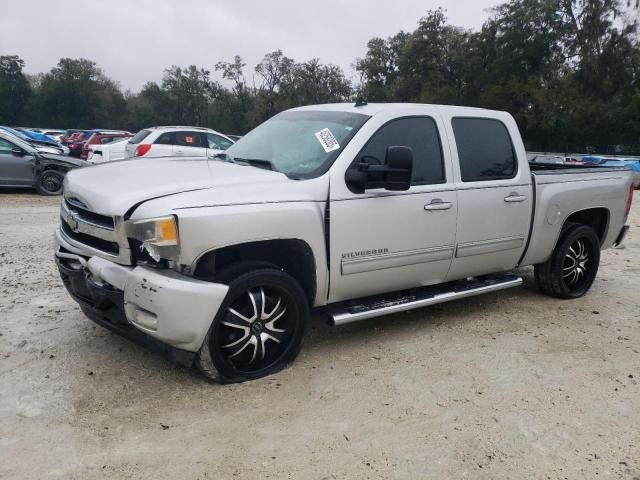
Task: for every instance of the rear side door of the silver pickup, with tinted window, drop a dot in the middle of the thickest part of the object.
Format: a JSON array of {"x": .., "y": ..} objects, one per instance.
[{"x": 494, "y": 197}]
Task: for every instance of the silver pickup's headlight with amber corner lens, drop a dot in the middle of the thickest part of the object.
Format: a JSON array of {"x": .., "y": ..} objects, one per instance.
[{"x": 157, "y": 236}]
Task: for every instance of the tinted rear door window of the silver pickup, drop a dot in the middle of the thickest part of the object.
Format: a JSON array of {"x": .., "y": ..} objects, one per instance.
[{"x": 485, "y": 149}]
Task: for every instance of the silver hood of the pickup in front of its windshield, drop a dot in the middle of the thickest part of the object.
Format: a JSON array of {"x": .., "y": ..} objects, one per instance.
[{"x": 114, "y": 188}]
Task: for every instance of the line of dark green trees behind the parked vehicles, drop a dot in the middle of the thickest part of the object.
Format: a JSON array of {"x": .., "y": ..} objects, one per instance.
[{"x": 568, "y": 70}]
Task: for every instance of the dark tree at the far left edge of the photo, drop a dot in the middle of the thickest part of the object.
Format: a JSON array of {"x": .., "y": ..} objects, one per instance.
[{"x": 15, "y": 91}]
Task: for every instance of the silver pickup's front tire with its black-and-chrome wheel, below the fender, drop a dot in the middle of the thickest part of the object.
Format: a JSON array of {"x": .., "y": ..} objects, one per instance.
[{"x": 244, "y": 341}]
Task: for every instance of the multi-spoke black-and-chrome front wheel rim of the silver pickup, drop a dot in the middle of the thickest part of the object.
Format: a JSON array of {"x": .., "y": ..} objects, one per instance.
[{"x": 255, "y": 329}]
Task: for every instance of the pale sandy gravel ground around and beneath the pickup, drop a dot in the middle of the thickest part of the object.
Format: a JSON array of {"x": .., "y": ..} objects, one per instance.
[{"x": 507, "y": 385}]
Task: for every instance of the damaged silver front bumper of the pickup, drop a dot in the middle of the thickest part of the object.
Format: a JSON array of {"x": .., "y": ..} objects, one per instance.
[{"x": 166, "y": 311}]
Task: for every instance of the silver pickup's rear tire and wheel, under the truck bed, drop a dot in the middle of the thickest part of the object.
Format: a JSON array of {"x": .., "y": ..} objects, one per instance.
[{"x": 573, "y": 265}]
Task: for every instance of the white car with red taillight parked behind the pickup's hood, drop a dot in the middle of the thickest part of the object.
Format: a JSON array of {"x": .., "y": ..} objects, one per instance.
[{"x": 178, "y": 141}]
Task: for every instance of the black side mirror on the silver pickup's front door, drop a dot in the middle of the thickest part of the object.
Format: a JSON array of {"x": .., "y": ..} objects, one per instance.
[{"x": 394, "y": 175}]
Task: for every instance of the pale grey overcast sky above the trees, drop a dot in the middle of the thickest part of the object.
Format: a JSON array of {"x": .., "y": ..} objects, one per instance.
[{"x": 134, "y": 41}]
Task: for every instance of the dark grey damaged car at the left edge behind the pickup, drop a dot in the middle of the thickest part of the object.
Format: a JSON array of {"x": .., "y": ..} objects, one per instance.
[{"x": 23, "y": 166}]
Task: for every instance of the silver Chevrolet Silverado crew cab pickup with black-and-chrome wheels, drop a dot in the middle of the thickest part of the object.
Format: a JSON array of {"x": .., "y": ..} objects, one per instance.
[{"x": 355, "y": 211}]
